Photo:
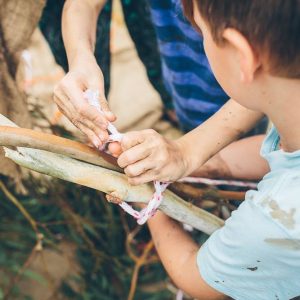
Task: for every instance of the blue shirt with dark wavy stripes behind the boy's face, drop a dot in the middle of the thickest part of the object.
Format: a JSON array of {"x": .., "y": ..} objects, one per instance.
[{"x": 186, "y": 71}]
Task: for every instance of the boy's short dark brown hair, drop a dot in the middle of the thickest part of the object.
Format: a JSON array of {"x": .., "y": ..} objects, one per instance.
[{"x": 271, "y": 26}]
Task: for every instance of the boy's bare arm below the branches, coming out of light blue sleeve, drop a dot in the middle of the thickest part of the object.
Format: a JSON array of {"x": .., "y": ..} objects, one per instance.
[{"x": 178, "y": 253}]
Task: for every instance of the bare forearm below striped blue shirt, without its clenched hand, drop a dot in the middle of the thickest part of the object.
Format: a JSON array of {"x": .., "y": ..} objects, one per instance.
[{"x": 228, "y": 124}]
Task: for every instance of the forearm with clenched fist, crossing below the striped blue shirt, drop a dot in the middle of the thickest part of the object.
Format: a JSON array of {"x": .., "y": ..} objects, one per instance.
[{"x": 148, "y": 156}]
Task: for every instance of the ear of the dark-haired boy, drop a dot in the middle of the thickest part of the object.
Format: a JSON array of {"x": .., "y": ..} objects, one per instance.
[{"x": 248, "y": 60}]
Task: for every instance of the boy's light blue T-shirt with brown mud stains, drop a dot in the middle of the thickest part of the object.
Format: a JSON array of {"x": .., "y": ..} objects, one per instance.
[{"x": 256, "y": 255}]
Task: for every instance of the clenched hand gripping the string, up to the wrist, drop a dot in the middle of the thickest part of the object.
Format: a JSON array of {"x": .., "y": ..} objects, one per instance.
[{"x": 148, "y": 156}]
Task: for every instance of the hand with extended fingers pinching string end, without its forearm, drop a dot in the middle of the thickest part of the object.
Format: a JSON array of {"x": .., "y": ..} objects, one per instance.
[{"x": 69, "y": 97}]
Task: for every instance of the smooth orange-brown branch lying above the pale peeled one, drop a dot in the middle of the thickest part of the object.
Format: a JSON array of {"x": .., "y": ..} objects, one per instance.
[{"x": 21, "y": 137}]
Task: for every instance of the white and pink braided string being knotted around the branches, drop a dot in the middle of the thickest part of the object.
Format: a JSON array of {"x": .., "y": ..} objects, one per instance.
[{"x": 115, "y": 136}]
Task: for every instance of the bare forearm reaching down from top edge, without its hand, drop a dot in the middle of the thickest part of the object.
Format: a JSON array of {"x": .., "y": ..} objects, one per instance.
[{"x": 79, "y": 22}]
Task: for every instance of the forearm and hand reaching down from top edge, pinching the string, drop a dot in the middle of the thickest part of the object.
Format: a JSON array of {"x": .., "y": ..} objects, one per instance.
[{"x": 79, "y": 23}]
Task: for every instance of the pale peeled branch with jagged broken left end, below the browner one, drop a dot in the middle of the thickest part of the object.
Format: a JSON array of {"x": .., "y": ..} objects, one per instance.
[{"x": 108, "y": 181}]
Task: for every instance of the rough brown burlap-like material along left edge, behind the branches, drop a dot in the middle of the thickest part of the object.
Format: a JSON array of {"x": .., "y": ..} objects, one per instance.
[{"x": 18, "y": 19}]
